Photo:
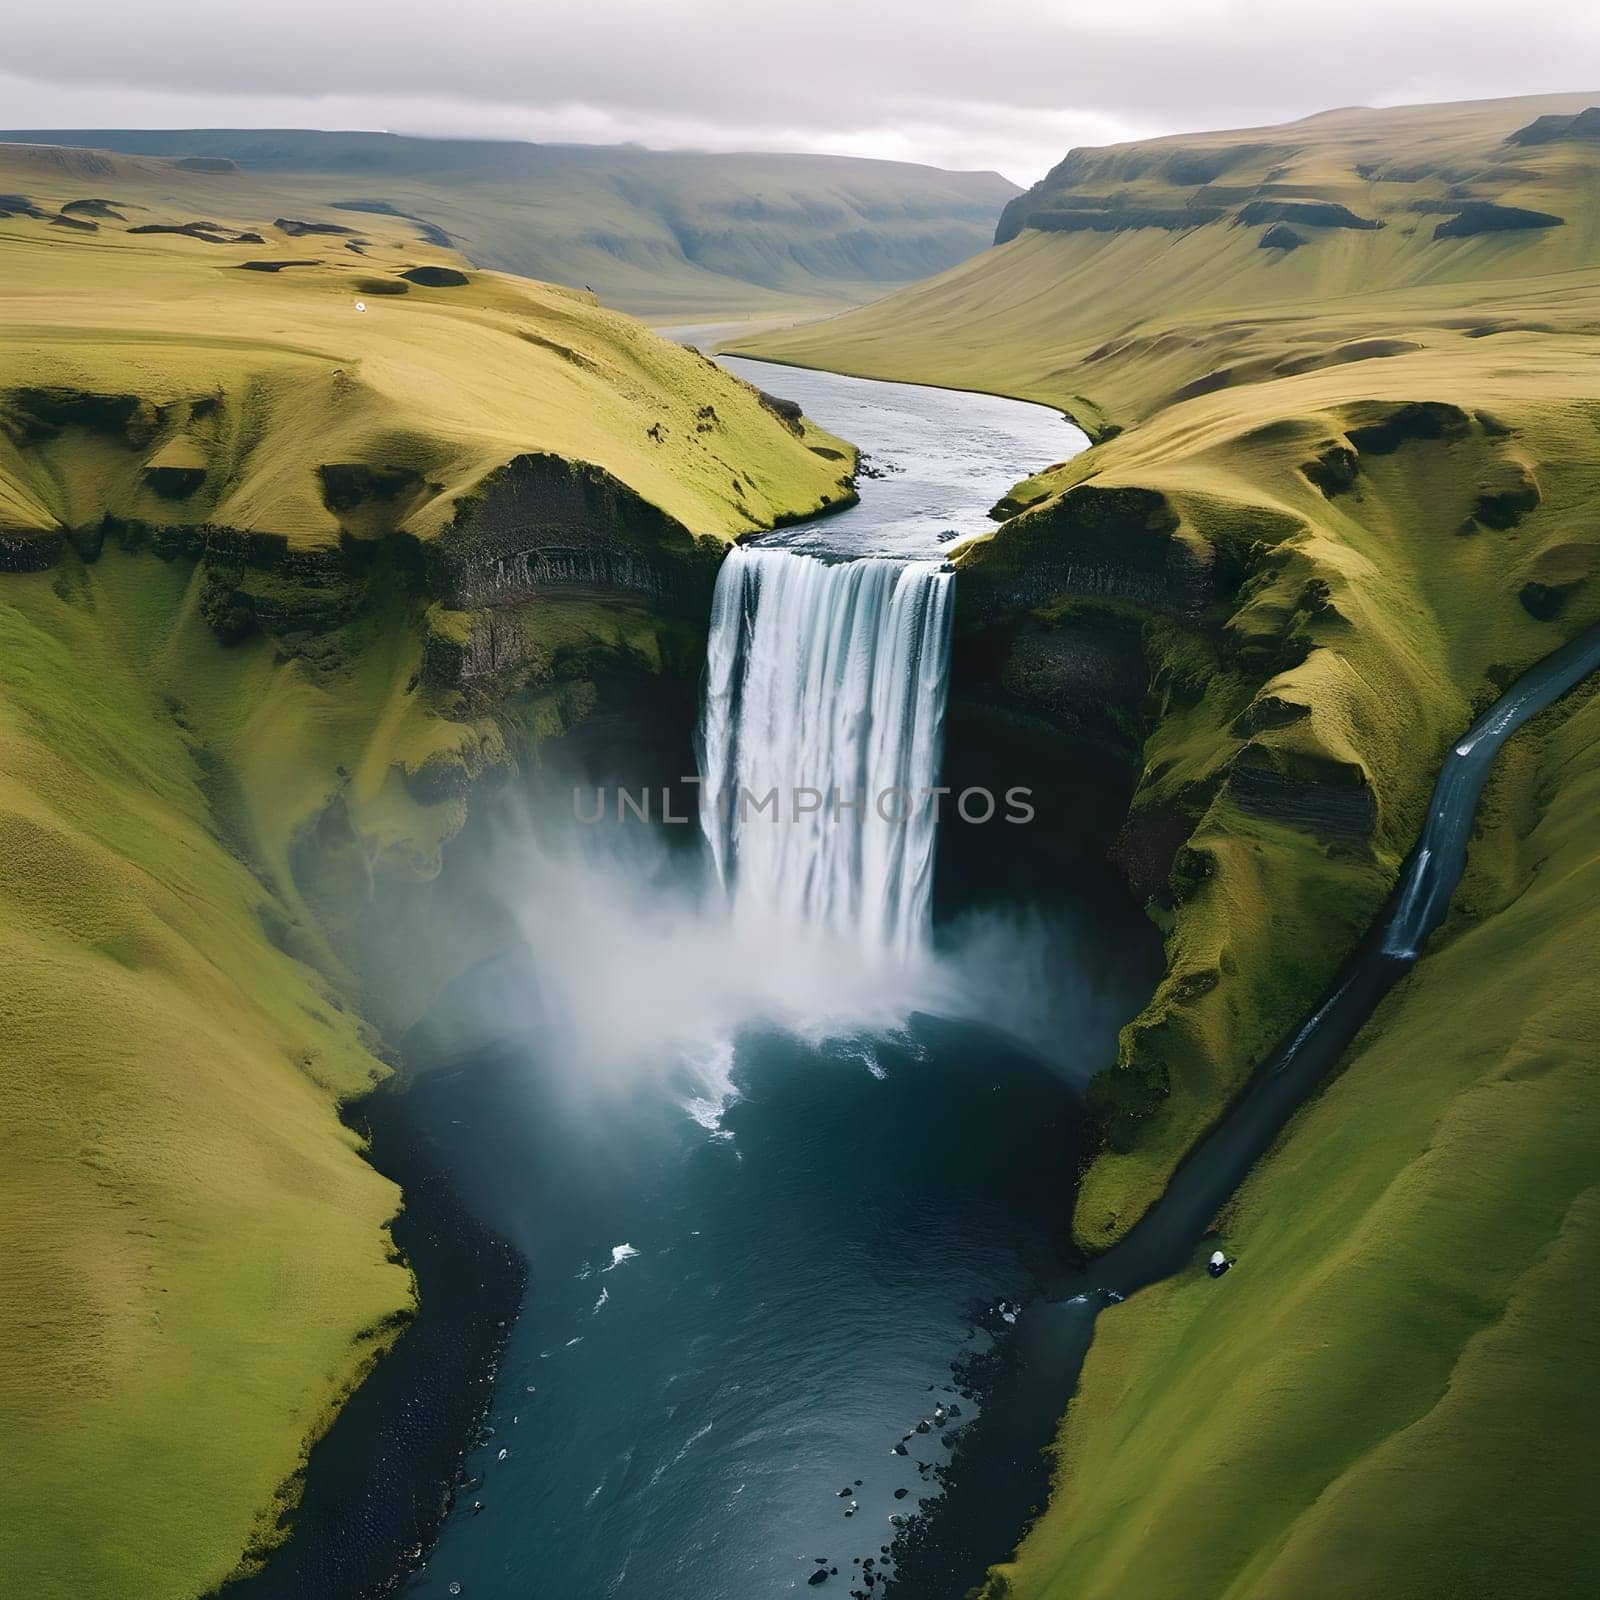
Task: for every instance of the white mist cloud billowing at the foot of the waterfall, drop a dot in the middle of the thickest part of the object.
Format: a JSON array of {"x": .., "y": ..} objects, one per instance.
[{"x": 636, "y": 966}]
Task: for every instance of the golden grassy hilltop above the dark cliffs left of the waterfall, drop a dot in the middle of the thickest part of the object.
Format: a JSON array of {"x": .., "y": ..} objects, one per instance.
[{"x": 174, "y": 359}]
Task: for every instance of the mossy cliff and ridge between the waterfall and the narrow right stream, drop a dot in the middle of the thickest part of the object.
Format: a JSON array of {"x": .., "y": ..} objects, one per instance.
[{"x": 1263, "y": 666}]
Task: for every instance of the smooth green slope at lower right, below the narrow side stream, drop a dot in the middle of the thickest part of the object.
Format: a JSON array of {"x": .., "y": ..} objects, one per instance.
[{"x": 1394, "y": 1390}]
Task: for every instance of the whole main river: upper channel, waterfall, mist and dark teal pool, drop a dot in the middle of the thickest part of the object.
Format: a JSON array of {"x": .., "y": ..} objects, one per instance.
[{"x": 786, "y": 1166}]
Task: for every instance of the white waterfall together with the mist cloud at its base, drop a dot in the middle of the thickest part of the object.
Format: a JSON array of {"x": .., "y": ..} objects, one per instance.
[{"x": 646, "y": 961}]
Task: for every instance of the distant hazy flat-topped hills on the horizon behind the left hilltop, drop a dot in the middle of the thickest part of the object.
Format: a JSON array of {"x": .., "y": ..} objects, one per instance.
[{"x": 665, "y": 234}]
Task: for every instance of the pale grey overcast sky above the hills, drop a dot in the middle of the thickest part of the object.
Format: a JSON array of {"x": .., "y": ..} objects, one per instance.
[{"x": 974, "y": 84}]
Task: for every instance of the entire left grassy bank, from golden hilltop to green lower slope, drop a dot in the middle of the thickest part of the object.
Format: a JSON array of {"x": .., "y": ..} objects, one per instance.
[{"x": 279, "y": 582}]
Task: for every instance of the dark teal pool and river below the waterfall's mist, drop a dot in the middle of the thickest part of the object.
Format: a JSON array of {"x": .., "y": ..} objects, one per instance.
[{"x": 727, "y": 1330}]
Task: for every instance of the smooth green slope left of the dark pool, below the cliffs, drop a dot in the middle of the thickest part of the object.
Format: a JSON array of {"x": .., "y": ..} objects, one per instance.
[{"x": 198, "y": 1257}]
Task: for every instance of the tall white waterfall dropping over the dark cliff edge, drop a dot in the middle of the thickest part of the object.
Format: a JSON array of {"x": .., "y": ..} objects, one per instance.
[{"x": 826, "y": 689}]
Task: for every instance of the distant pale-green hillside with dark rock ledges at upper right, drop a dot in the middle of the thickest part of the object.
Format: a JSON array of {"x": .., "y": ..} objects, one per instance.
[{"x": 1113, "y": 321}]
